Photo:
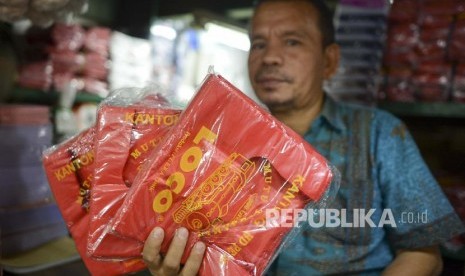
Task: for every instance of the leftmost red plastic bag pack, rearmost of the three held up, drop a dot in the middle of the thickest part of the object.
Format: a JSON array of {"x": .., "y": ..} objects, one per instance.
[{"x": 69, "y": 167}]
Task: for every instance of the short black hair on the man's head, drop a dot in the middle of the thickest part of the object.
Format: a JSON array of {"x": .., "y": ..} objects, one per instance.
[{"x": 325, "y": 20}]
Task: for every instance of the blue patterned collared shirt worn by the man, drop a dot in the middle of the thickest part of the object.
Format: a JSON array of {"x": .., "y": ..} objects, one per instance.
[{"x": 382, "y": 171}]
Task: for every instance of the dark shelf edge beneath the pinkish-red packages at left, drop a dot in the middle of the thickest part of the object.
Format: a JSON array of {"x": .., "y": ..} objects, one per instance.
[{"x": 28, "y": 95}]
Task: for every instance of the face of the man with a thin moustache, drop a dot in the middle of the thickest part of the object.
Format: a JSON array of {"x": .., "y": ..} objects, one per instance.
[{"x": 286, "y": 60}]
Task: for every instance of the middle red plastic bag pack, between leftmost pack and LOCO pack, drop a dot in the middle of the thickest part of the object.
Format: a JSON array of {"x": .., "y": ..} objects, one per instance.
[{"x": 125, "y": 136}]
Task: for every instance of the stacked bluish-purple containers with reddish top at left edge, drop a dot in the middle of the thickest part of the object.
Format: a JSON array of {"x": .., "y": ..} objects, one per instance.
[{"x": 29, "y": 216}]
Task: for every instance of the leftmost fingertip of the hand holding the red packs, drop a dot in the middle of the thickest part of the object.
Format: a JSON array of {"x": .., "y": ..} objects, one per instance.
[{"x": 151, "y": 251}]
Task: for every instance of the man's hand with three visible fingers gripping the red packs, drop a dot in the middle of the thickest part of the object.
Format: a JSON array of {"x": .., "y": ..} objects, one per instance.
[{"x": 171, "y": 263}]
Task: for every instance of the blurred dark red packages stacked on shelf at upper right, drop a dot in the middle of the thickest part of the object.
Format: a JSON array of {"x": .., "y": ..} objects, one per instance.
[{"x": 422, "y": 58}]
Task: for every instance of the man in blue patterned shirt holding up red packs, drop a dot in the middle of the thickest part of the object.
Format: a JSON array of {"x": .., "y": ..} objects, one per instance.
[{"x": 292, "y": 53}]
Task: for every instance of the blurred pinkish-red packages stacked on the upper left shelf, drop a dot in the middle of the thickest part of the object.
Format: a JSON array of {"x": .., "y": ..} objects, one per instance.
[{"x": 65, "y": 53}]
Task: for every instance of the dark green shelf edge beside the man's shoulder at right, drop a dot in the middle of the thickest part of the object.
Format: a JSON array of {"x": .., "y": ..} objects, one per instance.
[{"x": 439, "y": 110}]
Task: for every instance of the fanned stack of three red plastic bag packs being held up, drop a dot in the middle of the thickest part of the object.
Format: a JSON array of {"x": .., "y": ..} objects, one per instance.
[{"x": 218, "y": 168}]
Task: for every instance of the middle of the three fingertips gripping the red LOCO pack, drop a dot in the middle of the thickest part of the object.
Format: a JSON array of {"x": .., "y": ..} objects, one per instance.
[{"x": 173, "y": 257}]
